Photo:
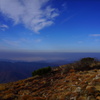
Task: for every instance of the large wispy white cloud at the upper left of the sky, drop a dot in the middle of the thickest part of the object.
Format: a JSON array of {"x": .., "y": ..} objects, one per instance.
[{"x": 34, "y": 14}]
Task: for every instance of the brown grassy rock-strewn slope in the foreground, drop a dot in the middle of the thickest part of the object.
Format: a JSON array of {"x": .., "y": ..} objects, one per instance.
[{"x": 77, "y": 81}]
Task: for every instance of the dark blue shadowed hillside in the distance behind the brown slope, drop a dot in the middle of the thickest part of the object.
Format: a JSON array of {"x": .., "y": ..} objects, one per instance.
[{"x": 14, "y": 71}]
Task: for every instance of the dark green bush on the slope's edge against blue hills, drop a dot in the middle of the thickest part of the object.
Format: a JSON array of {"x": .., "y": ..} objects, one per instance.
[{"x": 41, "y": 71}]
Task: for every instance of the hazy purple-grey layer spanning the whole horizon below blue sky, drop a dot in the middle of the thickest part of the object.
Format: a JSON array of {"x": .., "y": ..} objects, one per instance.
[{"x": 45, "y": 56}]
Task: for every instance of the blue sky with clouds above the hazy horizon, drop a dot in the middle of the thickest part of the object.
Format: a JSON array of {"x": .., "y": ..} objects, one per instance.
[{"x": 50, "y": 25}]
